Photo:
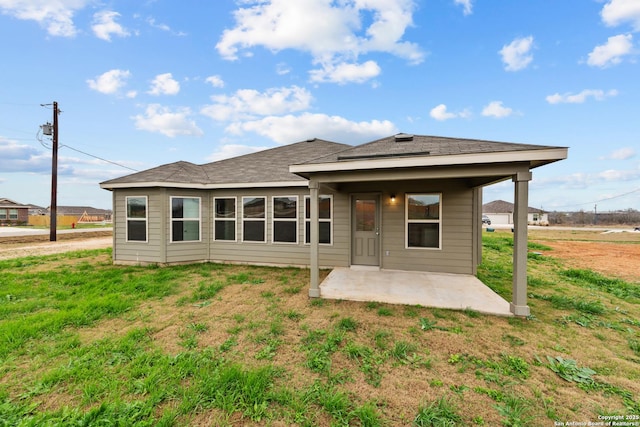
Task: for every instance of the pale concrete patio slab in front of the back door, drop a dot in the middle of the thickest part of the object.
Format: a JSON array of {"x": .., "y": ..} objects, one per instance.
[{"x": 453, "y": 291}]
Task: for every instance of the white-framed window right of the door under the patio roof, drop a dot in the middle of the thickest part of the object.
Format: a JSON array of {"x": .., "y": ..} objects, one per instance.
[{"x": 423, "y": 214}]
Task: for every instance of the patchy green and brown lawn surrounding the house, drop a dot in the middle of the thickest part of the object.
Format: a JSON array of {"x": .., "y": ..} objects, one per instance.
[{"x": 83, "y": 342}]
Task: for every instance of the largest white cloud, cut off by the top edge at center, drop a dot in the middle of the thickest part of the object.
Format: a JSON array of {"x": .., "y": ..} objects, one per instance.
[{"x": 332, "y": 32}]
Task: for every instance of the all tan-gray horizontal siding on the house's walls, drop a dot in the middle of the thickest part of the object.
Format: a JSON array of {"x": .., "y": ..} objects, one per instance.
[{"x": 454, "y": 256}]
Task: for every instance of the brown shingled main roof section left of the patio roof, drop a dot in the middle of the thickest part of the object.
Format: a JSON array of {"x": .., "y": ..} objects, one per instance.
[{"x": 268, "y": 166}]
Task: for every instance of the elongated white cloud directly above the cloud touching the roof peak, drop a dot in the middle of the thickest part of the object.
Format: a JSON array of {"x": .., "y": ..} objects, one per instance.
[{"x": 249, "y": 103}]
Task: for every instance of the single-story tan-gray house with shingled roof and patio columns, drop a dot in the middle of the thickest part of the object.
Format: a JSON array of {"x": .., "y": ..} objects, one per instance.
[{"x": 404, "y": 202}]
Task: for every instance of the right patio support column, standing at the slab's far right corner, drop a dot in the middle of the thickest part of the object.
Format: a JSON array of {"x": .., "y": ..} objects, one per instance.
[{"x": 519, "y": 305}]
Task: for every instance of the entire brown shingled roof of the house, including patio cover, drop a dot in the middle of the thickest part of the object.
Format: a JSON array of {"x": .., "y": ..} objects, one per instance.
[{"x": 291, "y": 164}]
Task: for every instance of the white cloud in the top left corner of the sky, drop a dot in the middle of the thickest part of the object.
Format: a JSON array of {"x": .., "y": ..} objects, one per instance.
[{"x": 55, "y": 16}]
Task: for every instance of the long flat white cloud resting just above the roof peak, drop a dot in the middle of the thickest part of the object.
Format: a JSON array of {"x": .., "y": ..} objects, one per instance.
[{"x": 290, "y": 128}]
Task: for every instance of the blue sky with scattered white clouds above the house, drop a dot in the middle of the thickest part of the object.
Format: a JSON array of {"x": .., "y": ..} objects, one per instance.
[{"x": 151, "y": 82}]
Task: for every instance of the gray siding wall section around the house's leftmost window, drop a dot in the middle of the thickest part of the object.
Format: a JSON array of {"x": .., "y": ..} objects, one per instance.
[{"x": 151, "y": 251}]
